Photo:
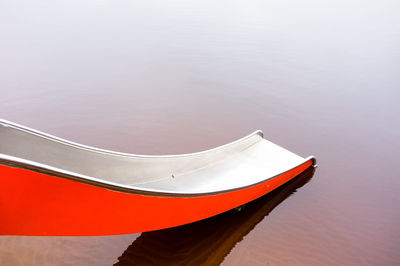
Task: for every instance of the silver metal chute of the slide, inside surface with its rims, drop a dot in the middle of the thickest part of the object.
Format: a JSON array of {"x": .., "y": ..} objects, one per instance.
[{"x": 239, "y": 164}]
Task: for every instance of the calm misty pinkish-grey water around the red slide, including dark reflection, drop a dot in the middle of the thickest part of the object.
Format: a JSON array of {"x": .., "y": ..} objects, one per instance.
[{"x": 157, "y": 77}]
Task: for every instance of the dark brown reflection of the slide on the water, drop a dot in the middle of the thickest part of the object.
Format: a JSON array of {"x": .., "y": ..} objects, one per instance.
[{"x": 210, "y": 240}]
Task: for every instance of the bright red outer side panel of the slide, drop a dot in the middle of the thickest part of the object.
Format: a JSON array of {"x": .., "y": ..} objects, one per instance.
[{"x": 33, "y": 203}]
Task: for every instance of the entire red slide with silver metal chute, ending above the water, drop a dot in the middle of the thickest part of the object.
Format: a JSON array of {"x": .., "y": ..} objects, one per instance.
[{"x": 50, "y": 186}]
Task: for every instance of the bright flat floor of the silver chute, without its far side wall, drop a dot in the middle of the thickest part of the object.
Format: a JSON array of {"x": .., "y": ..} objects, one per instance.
[{"x": 254, "y": 164}]
